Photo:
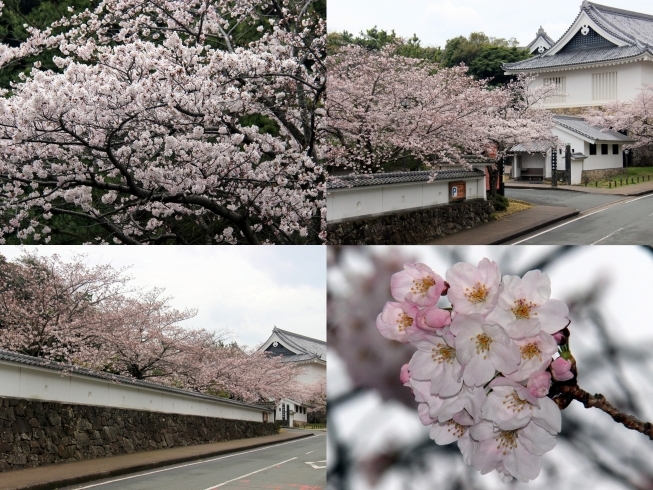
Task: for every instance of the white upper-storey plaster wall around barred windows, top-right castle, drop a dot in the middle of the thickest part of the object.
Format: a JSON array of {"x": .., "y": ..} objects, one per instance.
[{"x": 630, "y": 77}]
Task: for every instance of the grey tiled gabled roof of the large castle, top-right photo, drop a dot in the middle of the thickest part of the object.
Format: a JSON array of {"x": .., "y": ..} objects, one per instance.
[{"x": 598, "y": 34}]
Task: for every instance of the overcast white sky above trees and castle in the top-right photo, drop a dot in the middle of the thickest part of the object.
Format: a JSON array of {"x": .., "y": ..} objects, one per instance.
[{"x": 435, "y": 21}]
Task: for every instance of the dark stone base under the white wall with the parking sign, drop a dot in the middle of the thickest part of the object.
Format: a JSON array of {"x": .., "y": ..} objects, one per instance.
[{"x": 411, "y": 227}]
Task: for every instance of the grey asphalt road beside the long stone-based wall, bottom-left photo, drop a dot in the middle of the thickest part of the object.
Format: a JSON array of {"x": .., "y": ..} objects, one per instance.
[{"x": 296, "y": 465}]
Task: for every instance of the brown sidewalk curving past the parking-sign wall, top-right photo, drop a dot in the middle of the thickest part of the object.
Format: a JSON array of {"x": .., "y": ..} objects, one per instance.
[{"x": 508, "y": 228}]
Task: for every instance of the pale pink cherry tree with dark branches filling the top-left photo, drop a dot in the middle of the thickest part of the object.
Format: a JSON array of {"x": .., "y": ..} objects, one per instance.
[{"x": 165, "y": 127}]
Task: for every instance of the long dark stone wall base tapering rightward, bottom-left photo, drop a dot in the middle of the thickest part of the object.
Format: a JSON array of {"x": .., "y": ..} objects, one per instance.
[{"x": 34, "y": 433}]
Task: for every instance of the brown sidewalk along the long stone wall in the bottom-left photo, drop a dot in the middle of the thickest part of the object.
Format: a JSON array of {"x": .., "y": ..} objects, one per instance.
[{"x": 64, "y": 474}]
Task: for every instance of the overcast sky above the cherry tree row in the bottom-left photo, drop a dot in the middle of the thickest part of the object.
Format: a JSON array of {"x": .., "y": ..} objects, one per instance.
[{"x": 245, "y": 289}]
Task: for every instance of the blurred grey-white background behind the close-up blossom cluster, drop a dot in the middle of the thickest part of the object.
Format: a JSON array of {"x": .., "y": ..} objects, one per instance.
[{"x": 376, "y": 440}]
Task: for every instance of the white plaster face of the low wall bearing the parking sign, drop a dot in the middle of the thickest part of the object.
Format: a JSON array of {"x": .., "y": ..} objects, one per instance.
[{"x": 375, "y": 200}]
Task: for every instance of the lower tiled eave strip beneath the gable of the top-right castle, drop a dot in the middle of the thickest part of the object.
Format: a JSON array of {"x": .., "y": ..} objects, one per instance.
[{"x": 579, "y": 57}]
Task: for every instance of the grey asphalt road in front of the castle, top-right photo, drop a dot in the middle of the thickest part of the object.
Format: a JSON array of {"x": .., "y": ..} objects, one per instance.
[{"x": 627, "y": 222}]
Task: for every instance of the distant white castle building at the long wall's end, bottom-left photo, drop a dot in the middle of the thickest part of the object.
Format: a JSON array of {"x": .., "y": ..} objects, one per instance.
[{"x": 310, "y": 354}]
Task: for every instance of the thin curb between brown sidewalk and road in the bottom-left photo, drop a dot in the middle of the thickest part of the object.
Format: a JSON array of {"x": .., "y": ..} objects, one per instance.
[{"x": 144, "y": 466}]
